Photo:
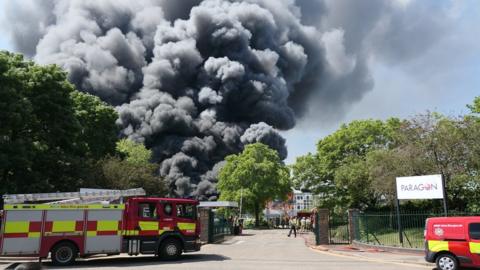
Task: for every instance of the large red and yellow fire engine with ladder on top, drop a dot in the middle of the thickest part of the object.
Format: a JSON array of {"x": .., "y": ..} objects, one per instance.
[{"x": 87, "y": 223}]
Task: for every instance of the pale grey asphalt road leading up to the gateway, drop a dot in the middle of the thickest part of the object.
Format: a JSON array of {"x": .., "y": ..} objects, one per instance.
[{"x": 270, "y": 249}]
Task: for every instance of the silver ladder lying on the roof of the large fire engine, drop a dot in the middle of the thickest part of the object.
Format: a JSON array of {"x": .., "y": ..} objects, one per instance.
[{"x": 84, "y": 196}]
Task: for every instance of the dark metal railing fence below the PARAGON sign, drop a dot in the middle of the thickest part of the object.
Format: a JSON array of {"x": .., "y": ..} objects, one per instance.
[{"x": 382, "y": 228}]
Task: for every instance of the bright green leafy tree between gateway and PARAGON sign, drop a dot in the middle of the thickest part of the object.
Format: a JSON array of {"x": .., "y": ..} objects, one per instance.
[{"x": 337, "y": 172}]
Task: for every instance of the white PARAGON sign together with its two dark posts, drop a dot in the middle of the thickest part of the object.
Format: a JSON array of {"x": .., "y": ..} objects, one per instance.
[{"x": 419, "y": 187}]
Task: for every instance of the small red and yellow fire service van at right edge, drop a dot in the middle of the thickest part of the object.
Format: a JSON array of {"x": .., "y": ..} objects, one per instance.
[{"x": 452, "y": 242}]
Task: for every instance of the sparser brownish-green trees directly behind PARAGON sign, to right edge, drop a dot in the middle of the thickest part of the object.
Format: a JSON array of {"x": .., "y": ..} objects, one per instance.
[{"x": 432, "y": 144}]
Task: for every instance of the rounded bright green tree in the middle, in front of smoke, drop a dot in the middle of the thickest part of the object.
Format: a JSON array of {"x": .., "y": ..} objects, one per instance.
[{"x": 257, "y": 174}]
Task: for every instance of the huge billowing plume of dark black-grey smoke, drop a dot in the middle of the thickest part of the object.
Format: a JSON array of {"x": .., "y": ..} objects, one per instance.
[{"x": 197, "y": 80}]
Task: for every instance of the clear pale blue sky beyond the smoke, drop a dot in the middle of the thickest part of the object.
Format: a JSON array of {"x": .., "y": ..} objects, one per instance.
[{"x": 444, "y": 78}]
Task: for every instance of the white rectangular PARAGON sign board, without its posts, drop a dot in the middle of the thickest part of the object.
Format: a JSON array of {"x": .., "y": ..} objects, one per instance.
[{"x": 420, "y": 187}]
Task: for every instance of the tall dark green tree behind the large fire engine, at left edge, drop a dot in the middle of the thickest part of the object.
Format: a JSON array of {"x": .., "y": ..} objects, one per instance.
[{"x": 47, "y": 139}]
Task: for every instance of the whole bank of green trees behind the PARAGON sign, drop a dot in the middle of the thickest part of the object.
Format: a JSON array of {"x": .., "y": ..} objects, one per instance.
[{"x": 356, "y": 166}]
